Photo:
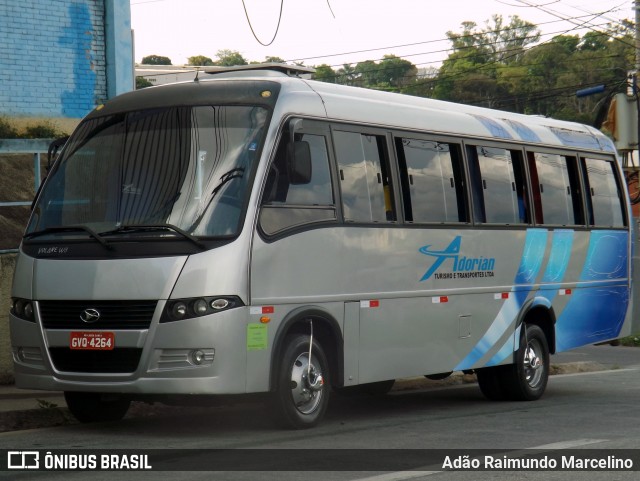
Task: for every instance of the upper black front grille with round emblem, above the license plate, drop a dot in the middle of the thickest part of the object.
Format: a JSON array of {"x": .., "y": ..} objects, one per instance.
[{"x": 112, "y": 314}]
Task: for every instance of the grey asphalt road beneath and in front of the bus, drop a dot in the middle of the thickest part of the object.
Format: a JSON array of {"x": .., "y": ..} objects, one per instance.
[{"x": 594, "y": 411}]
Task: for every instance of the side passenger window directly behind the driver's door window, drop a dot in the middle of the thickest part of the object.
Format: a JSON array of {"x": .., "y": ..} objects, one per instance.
[{"x": 365, "y": 181}]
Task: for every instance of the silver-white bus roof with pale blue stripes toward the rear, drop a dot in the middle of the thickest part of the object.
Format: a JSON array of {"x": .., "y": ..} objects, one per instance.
[{"x": 341, "y": 103}]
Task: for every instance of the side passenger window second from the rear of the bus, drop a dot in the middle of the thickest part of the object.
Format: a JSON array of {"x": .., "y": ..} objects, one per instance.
[{"x": 555, "y": 188}]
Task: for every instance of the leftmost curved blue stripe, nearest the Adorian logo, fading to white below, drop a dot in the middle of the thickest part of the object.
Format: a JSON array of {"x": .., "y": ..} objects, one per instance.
[{"x": 530, "y": 265}]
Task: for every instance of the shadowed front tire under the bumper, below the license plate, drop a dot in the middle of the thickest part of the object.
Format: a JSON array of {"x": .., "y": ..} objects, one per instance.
[{"x": 90, "y": 407}]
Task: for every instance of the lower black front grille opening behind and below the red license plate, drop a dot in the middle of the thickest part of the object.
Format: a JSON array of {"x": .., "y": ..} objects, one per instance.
[{"x": 119, "y": 360}]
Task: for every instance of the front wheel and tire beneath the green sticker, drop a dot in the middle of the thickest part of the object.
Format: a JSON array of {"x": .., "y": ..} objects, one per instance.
[{"x": 300, "y": 401}]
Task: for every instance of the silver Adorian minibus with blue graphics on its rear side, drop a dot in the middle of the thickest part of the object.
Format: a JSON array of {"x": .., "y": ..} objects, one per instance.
[{"x": 258, "y": 232}]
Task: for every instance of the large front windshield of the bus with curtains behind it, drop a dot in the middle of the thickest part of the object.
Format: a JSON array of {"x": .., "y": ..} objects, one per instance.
[{"x": 184, "y": 167}]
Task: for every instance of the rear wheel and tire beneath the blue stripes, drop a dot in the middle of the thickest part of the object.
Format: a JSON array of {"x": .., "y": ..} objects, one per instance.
[{"x": 526, "y": 379}]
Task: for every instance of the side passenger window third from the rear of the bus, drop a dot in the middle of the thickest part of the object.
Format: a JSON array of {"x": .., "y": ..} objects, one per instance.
[{"x": 498, "y": 186}]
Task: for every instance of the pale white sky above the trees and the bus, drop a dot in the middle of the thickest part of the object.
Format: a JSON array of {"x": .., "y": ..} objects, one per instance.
[{"x": 335, "y": 32}]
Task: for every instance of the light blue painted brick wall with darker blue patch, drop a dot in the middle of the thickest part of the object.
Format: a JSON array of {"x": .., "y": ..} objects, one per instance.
[{"x": 53, "y": 55}]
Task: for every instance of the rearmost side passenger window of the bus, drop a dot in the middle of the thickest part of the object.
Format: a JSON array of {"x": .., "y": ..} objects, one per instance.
[{"x": 604, "y": 199}]
